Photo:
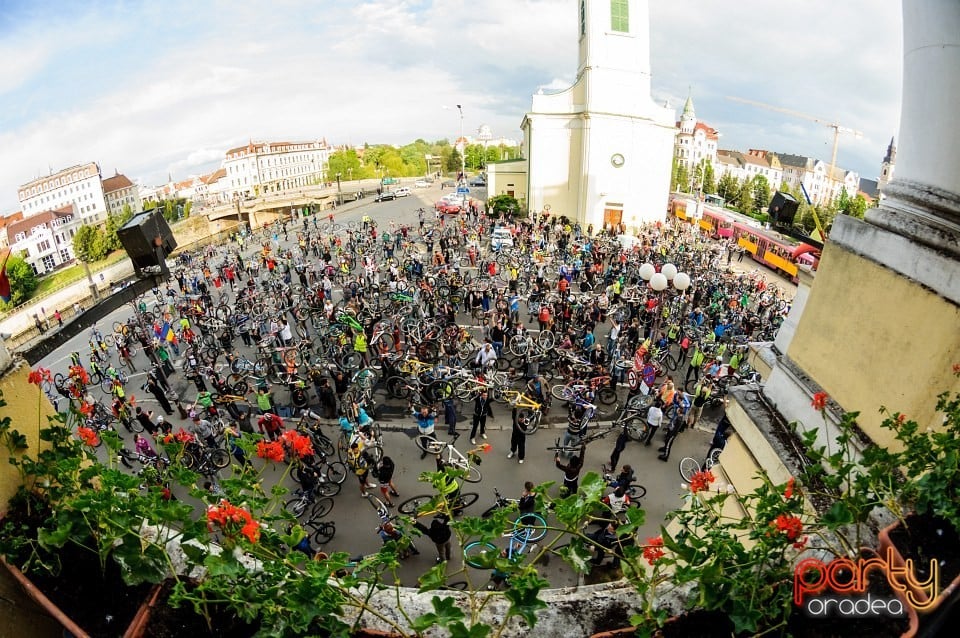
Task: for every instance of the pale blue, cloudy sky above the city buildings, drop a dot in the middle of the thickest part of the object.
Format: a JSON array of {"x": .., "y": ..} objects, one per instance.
[{"x": 152, "y": 89}]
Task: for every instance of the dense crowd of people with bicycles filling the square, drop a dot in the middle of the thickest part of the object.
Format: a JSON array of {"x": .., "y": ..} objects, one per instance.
[{"x": 319, "y": 316}]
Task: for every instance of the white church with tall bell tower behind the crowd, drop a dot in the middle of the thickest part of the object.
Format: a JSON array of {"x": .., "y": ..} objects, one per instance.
[{"x": 600, "y": 151}]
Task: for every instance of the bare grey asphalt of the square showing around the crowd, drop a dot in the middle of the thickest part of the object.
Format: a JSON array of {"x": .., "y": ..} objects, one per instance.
[{"x": 354, "y": 517}]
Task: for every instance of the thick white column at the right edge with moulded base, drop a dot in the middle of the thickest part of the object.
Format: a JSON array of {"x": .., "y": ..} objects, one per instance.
[{"x": 923, "y": 200}]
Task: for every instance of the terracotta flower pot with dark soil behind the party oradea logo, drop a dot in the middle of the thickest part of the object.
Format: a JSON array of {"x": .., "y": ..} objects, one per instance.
[{"x": 899, "y": 543}]
